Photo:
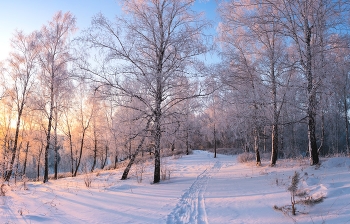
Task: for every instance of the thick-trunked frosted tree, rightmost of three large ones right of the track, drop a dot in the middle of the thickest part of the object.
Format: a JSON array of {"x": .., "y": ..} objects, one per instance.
[{"x": 309, "y": 24}]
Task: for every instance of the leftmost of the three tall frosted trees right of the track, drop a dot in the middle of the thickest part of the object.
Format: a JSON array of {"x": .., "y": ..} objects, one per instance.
[{"x": 241, "y": 61}]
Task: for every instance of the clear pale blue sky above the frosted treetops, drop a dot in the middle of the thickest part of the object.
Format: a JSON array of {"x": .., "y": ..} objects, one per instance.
[{"x": 31, "y": 15}]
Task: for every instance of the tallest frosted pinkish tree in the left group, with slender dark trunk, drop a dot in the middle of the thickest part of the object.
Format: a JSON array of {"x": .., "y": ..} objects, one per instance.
[{"x": 54, "y": 56}]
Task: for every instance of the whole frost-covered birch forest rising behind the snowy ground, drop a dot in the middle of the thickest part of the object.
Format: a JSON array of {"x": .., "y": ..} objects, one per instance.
[{"x": 141, "y": 84}]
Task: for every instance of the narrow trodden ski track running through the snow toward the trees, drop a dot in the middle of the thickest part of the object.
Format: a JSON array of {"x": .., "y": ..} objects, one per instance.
[{"x": 191, "y": 206}]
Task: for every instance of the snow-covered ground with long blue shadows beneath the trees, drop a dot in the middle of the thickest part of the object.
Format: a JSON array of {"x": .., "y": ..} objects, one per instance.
[{"x": 201, "y": 189}]
